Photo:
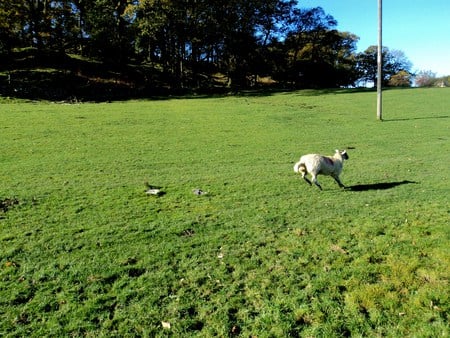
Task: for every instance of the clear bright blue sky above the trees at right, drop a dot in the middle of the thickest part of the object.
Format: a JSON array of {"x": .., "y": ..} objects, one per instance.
[{"x": 419, "y": 28}]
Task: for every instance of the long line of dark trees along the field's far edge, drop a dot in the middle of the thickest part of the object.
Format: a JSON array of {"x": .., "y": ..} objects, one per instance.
[{"x": 187, "y": 41}]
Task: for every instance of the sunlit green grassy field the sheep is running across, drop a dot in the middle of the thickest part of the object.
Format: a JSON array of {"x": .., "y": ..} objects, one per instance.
[{"x": 85, "y": 252}]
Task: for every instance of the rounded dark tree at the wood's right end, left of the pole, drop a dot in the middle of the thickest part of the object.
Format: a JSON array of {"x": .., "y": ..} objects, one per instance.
[{"x": 318, "y": 55}]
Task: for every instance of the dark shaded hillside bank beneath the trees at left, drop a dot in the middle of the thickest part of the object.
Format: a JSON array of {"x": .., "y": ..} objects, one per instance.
[{"x": 29, "y": 74}]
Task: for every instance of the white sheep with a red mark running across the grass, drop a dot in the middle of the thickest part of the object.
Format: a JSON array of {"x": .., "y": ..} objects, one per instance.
[{"x": 316, "y": 164}]
